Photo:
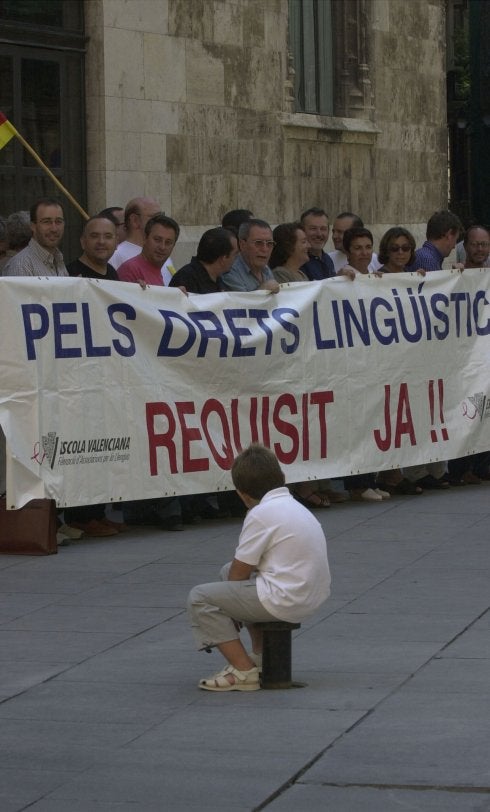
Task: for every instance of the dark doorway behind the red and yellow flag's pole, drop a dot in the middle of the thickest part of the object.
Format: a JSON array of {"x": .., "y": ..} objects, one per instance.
[{"x": 41, "y": 92}]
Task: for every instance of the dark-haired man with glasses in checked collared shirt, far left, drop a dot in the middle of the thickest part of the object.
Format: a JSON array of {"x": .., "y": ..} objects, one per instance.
[{"x": 41, "y": 257}]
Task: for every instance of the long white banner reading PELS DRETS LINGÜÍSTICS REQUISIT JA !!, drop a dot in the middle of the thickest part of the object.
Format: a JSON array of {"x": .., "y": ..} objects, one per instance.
[{"x": 110, "y": 392}]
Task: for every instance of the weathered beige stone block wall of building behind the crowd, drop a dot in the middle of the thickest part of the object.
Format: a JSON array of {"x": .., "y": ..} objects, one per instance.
[{"x": 189, "y": 101}]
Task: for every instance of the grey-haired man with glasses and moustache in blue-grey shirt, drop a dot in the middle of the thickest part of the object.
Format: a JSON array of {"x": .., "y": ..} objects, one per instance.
[{"x": 250, "y": 270}]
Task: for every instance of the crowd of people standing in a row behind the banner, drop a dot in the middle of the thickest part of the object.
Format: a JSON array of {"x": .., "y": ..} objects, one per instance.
[{"x": 135, "y": 244}]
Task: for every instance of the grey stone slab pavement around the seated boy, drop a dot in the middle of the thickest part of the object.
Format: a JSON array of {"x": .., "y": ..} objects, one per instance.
[{"x": 99, "y": 709}]
